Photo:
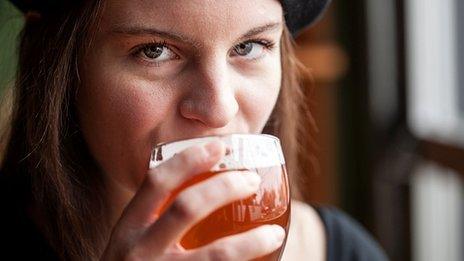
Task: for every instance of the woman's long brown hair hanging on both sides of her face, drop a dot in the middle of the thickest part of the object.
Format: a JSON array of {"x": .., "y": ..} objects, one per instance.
[{"x": 46, "y": 158}]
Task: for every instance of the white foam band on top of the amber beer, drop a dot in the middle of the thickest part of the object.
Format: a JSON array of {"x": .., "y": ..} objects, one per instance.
[{"x": 244, "y": 151}]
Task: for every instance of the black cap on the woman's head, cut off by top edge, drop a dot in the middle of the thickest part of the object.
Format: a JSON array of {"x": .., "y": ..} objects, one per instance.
[{"x": 299, "y": 14}]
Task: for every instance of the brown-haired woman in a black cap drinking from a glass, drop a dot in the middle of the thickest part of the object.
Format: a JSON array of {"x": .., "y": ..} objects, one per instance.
[{"x": 101, "y": 82}]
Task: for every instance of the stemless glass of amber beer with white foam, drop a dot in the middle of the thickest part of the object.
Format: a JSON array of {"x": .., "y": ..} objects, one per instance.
[{"x": 269, "y": 205}]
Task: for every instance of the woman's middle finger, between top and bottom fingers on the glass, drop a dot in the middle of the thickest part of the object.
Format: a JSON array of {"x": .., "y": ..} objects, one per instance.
[{"x": 197, "y": 202}]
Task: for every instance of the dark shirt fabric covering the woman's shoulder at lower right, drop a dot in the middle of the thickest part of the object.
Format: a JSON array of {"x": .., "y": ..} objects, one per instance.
[{"x": 346, "y": 238}]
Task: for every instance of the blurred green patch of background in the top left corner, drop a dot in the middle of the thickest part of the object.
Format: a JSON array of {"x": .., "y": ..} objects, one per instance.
[{"x": 11, "y": 22}]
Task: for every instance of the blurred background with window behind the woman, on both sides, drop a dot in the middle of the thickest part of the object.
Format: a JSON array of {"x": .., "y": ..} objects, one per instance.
[{"x": 390, "y": 111}]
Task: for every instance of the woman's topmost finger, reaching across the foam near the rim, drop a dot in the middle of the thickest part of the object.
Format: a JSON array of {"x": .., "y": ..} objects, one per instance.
[{"x": 162, "y": 180}]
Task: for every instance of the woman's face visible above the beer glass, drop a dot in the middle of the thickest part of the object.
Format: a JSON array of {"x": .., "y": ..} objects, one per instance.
[{"x": 161, "y": 70}]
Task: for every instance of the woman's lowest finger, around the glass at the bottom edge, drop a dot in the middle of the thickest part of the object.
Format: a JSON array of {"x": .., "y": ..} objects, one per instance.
[{"x": 244, "y": 246}]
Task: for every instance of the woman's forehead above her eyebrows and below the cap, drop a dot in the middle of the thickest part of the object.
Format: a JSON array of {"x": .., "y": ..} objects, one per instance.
[{"x": 192, "y": 18}]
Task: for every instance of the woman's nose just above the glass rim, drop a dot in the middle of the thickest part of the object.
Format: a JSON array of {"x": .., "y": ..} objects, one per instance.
[{"x": 211, "y": 97}]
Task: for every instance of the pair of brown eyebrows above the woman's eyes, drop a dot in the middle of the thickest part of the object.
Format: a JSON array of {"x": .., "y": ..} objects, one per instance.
[{"x": 141, "y": 30}]
